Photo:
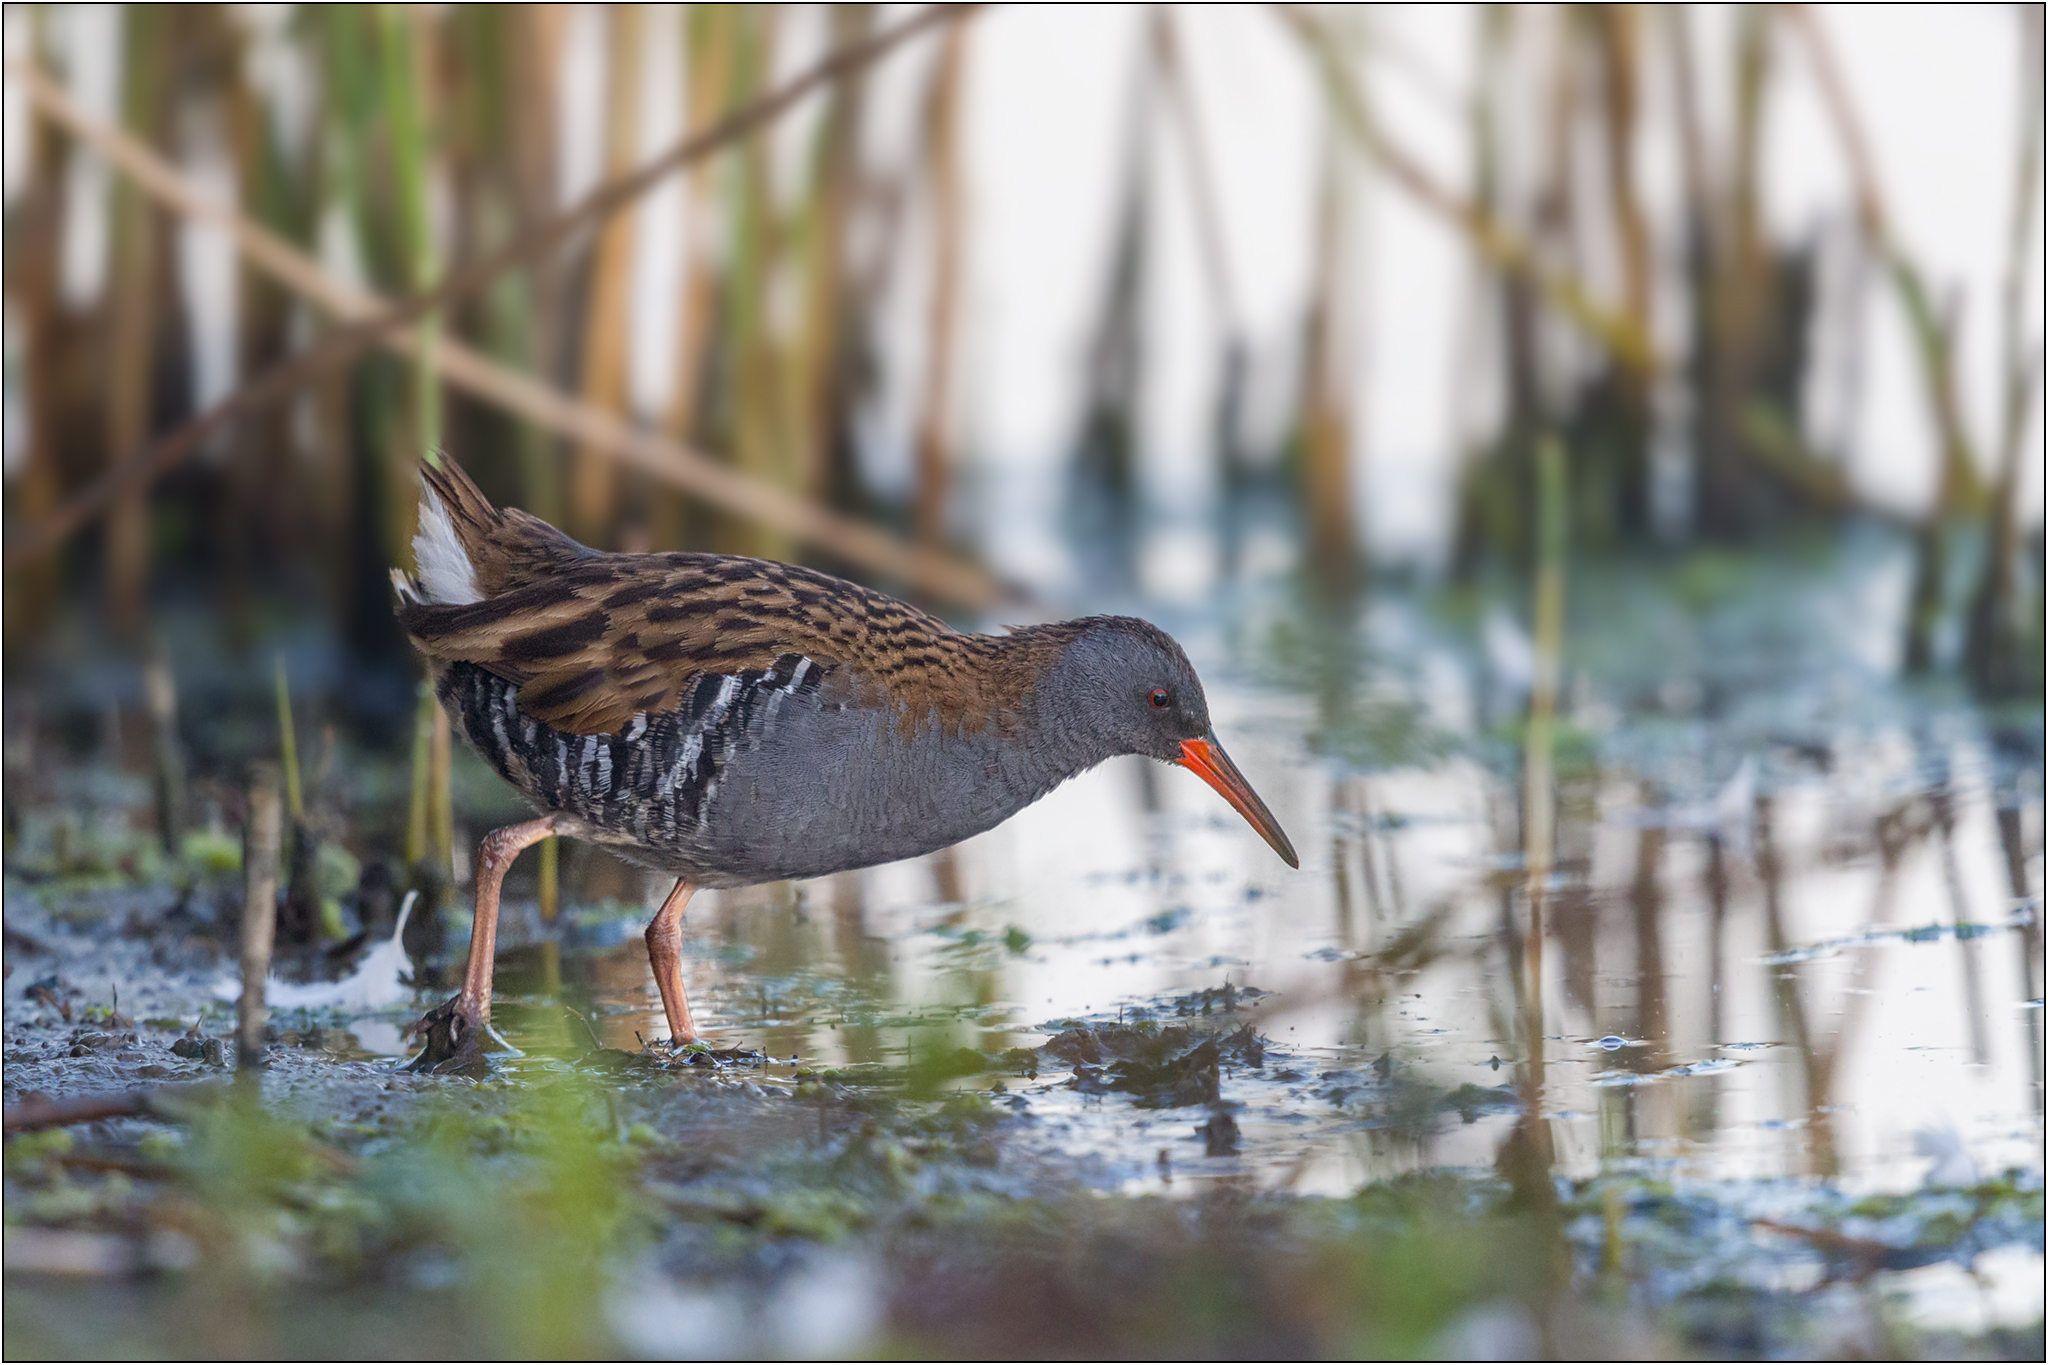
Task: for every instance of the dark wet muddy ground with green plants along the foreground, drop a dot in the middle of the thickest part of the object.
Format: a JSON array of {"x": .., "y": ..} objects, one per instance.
[{"x": 589, "y": 1200}]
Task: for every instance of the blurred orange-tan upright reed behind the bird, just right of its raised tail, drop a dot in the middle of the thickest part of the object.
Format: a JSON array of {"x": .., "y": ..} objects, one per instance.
[{"x": 593, "y": 470}]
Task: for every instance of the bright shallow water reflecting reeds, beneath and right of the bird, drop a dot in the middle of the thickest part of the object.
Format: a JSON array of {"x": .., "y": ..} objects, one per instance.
[{"x": 1752, "y": 904}]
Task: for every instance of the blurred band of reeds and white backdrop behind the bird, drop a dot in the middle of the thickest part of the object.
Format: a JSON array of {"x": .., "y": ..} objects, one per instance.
[{"x": 851, "y": 308}]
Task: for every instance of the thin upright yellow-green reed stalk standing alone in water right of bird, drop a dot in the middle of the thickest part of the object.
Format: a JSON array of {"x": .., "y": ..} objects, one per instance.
[{"x": 1539, "y": 744}]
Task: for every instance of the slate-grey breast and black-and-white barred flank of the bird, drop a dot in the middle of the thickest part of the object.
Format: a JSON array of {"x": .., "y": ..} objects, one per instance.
[{"x": 757, "y": 777}]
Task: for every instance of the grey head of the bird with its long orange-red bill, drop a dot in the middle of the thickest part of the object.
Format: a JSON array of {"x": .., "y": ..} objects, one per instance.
[{"x": 1121, "y": 687}]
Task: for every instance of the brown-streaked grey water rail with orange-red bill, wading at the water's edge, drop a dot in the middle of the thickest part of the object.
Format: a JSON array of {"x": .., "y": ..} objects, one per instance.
[{"x": 738, "y": 721}]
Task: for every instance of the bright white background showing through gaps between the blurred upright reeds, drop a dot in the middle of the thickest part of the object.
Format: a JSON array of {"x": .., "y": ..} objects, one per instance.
[{"x": 1046, "y": 146}]
